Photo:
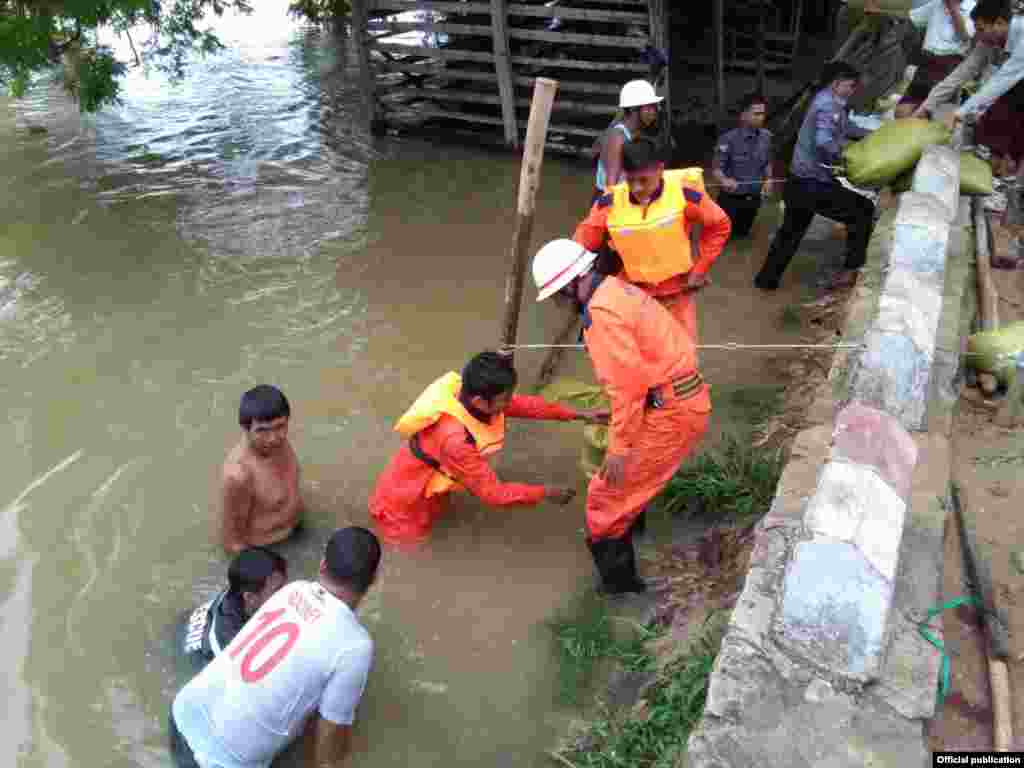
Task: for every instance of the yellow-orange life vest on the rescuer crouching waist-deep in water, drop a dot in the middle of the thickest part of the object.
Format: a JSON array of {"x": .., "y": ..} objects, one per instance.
[{"x": 443, "y": 398}]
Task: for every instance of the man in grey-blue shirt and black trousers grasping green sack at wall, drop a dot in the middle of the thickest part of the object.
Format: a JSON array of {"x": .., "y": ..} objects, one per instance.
[{"x": 812, "y": 189}]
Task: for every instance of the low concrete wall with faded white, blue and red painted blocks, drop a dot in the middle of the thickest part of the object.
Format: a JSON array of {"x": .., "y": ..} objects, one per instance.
[{"x": 823, "y": 664}]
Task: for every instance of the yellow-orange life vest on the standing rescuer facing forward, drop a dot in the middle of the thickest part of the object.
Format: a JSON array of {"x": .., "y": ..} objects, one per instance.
[{"x": 651, "y": 239}]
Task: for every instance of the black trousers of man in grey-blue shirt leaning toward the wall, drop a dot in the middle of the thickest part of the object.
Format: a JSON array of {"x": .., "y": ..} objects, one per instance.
[{"x": 804, "y": 198}]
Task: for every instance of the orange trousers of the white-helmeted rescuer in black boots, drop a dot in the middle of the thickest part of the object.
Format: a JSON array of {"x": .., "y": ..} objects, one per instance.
[{"x": 670, "y": 435}]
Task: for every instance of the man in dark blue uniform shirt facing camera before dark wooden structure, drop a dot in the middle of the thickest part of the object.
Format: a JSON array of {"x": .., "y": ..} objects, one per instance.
[{"x": 743, "y": 166}]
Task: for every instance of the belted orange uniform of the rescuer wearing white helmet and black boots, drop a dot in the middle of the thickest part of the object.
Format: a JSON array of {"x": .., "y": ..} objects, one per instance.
[{"x": 635, "y": 346}]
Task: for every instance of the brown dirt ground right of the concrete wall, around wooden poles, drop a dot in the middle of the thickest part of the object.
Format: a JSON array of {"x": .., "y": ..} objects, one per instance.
[{"x": 989, "y": 464}]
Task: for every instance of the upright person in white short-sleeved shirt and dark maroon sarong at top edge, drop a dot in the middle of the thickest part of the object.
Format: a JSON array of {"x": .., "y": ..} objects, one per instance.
[{"x": 949, "y": 31}]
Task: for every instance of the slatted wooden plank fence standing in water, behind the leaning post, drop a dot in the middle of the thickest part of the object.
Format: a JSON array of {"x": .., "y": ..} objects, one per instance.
[{"x": 476, "y": 63}]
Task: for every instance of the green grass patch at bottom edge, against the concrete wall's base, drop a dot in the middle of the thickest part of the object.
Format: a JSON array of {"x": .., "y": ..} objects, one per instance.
[{"x": 655, "y": 735}]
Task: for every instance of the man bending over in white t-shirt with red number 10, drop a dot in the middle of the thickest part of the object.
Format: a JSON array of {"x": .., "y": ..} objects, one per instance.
[{"x": 300, "y": 665}]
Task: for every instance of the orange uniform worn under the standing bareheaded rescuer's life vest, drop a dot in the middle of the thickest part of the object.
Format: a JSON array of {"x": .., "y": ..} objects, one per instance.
[{"x": 700, "y": 209}]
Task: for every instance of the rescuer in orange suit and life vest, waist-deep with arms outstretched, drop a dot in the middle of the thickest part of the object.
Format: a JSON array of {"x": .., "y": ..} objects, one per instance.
[{"x": 453, "y": 430}]
